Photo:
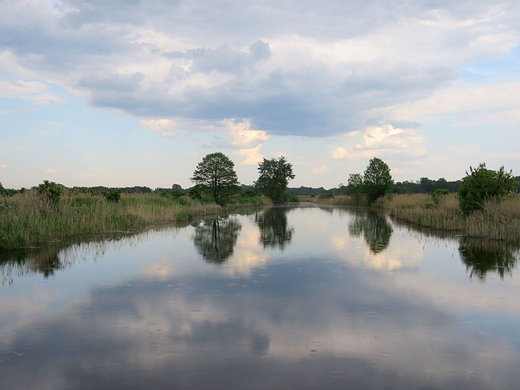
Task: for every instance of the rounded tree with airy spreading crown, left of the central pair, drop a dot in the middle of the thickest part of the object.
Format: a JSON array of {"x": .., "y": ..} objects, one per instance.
[{"x": 215, "y": 175}]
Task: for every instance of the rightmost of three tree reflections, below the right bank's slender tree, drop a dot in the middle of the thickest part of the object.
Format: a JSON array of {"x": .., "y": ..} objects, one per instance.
[{"x": 375, "y": 229}]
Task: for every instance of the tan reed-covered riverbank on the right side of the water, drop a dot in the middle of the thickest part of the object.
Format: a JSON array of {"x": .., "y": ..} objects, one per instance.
[{"x": 498, "y": 220}]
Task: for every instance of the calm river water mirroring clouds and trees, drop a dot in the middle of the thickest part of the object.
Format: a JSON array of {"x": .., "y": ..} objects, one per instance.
[{"x": 286, "y": 298}]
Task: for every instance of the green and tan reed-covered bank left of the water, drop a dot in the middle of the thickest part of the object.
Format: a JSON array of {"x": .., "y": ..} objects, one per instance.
[{"x": 28, "y": 220}]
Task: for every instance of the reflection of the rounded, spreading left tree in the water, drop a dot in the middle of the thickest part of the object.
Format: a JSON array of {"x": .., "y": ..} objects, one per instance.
[{"x": 216, "y": 239}]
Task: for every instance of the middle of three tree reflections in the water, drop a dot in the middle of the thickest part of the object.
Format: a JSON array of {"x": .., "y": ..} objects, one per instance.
[{"x": 274, "y": 230}]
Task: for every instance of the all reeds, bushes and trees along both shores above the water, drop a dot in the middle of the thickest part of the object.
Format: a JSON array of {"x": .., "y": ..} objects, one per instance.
[{"x": 483, "y": 204}]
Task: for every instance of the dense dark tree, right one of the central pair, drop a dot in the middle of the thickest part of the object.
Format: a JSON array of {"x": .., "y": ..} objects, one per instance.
[{"x": 274, "y": 175}]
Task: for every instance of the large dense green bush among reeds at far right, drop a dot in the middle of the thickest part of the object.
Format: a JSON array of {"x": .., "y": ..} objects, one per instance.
[{"x": 483, "y": 184}]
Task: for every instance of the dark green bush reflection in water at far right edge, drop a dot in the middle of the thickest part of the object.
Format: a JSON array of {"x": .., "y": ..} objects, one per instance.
[{"x": 483, "y": 256}]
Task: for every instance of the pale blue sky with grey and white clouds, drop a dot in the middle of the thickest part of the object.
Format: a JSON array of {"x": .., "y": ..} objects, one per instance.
[{"x": 136, "y": 92}]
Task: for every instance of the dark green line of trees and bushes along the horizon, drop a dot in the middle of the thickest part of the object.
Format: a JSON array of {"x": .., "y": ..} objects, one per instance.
[{"x": 215, "y": 180}]
